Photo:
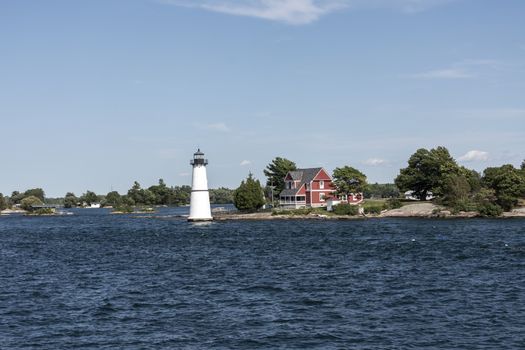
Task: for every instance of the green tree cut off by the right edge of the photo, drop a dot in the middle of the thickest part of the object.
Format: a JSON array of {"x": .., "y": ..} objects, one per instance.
[{"x": 507, "y": 182}]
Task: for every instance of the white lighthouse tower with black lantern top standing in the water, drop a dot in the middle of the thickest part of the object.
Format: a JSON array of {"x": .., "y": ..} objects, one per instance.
[{"x": 200, "y": 198}]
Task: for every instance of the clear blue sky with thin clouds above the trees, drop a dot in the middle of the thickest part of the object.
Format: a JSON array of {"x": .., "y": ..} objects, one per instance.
[{"x": 96, "y": 94}]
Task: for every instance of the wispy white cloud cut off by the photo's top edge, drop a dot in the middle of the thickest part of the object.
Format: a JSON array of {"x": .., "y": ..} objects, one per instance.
[{"x": 299, "y": 12}]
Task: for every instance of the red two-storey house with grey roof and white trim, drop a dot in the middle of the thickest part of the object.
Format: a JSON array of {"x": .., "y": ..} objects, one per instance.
[{"x": 306, "y": 188}]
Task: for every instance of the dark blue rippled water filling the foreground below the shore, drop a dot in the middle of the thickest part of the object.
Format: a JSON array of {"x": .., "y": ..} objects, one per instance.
[{"x": 99, "y": 281}]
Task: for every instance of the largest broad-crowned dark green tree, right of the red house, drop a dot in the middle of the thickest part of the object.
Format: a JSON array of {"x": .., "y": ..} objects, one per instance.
[{"x": 427, "y": 171}]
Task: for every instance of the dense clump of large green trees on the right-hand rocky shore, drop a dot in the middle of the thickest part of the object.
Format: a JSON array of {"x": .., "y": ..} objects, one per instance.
[{"x": 436, "y": 171}]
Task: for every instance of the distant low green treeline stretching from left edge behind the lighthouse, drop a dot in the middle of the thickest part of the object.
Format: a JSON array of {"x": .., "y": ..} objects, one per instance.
[{"x": 159, "y": 194}]
